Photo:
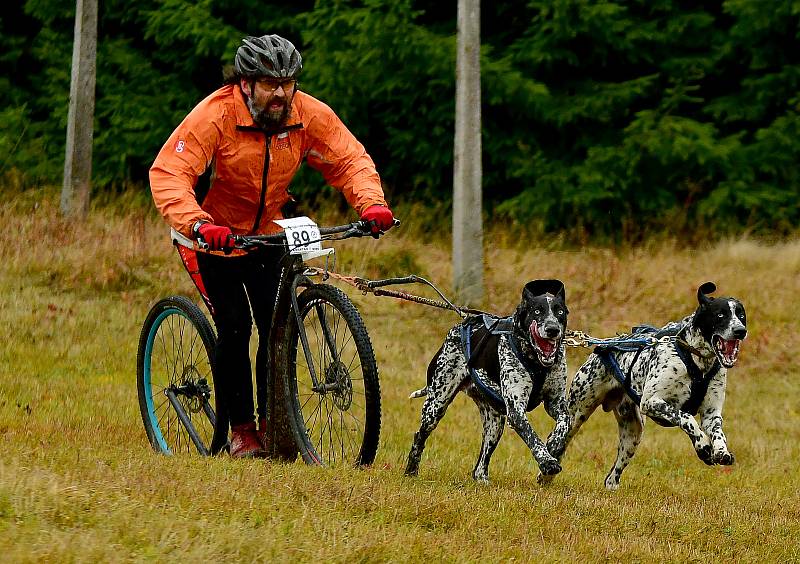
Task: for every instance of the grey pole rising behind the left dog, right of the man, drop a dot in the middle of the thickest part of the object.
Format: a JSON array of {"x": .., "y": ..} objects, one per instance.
[{"x": 467, "y": 212}]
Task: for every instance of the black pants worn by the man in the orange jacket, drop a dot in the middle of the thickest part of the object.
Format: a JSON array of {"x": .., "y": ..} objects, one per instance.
[{"x": 235, "y": 285}]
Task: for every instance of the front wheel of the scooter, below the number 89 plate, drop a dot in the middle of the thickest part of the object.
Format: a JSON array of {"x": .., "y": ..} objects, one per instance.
[{"x": 336, "y": 413}]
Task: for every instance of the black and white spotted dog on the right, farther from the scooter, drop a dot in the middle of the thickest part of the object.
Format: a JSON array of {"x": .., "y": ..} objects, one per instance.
[{"x": 669, "y": 382}]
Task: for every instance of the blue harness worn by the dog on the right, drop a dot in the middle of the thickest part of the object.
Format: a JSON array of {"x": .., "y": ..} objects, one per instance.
[{"x": 699, "y": 381}]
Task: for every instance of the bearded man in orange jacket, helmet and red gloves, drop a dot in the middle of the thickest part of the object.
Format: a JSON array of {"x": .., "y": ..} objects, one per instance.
[{"x": 253, "y": 134}]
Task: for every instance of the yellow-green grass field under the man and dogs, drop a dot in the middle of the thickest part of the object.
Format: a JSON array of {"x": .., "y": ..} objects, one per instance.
[{"x": 78, "y": 481}]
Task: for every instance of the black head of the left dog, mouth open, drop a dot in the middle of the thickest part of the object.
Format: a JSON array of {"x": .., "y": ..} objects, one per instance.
[{"x": 542, "y": 318}]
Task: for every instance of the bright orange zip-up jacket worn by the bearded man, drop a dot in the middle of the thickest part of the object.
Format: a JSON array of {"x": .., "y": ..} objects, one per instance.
[{"x": 251, "y": 170}]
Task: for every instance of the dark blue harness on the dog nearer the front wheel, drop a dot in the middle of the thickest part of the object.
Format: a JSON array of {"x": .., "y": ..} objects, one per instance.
[{"x": 487, "y": 330}]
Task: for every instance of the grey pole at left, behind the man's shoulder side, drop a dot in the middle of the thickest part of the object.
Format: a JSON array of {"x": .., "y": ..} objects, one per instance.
[{"x": 80, "y": 120}]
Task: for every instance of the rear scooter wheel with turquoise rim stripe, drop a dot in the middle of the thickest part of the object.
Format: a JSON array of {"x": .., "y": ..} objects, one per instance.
[{"x": 176, "y": 354}]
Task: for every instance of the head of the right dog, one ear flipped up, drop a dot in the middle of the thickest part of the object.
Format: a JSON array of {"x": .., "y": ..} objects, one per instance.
[{"x": 722, "y": 323}]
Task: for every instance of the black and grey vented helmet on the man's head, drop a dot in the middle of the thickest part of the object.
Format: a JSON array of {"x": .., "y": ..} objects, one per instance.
[{"x": 268, "y": 55}]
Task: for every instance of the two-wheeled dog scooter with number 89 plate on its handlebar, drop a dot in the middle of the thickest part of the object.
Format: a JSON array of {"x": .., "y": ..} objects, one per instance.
[{"x": 321, "y": 359}]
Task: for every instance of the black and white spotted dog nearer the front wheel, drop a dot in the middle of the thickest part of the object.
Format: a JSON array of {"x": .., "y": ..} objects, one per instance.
[{"x": 507, "y": 366}]
